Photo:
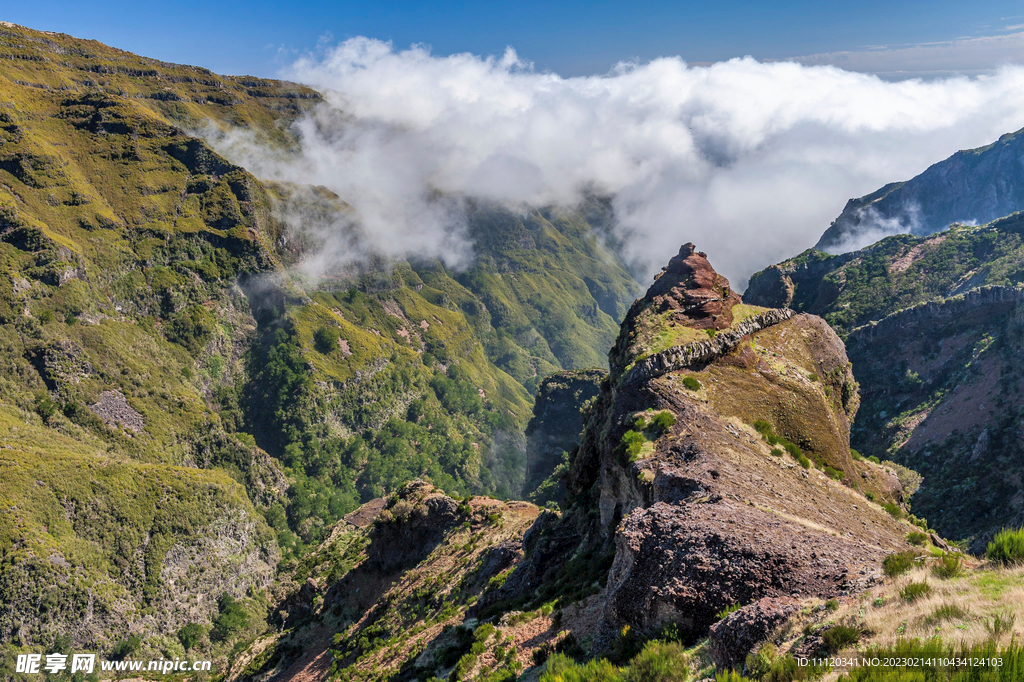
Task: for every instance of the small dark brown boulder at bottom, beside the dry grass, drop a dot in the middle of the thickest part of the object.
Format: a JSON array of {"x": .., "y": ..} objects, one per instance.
[{"x": 734, "y": 637}]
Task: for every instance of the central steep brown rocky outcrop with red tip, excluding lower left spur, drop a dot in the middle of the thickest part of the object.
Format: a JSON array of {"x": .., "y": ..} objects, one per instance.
[{"x": 701, "y": 513}]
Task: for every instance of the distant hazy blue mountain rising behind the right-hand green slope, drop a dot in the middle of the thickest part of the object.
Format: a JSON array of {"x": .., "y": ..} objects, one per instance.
[{"x": 972, "y": 187}]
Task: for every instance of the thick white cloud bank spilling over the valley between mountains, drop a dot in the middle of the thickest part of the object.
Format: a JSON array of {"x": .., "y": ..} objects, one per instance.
[{"x": 750, "y": 161}]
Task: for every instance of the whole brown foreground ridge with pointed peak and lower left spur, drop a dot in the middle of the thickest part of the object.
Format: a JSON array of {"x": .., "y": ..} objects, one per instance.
[{"x": 712, "y": 505}]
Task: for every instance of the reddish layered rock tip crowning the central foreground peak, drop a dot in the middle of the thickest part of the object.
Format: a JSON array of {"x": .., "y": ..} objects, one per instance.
[{"x": 690, "y": 286}]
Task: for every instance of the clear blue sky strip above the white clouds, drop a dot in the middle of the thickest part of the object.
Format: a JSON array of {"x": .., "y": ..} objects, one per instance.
[{"x": 571, "y": 38}]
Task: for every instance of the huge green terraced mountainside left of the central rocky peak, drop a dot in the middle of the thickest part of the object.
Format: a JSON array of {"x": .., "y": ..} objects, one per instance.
[{"x": 184, "y": 417}]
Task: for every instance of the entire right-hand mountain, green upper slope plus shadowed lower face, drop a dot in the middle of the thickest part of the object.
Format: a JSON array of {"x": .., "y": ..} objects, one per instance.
[{"x": 931, "y": 329}]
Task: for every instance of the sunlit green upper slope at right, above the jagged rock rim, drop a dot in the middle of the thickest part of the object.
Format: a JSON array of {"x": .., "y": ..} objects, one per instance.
[{"x": 854, "y": 289}]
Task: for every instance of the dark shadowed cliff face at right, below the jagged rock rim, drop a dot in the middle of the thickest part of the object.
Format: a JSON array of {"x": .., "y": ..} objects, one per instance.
[{"x": 942, "y": 382}]
